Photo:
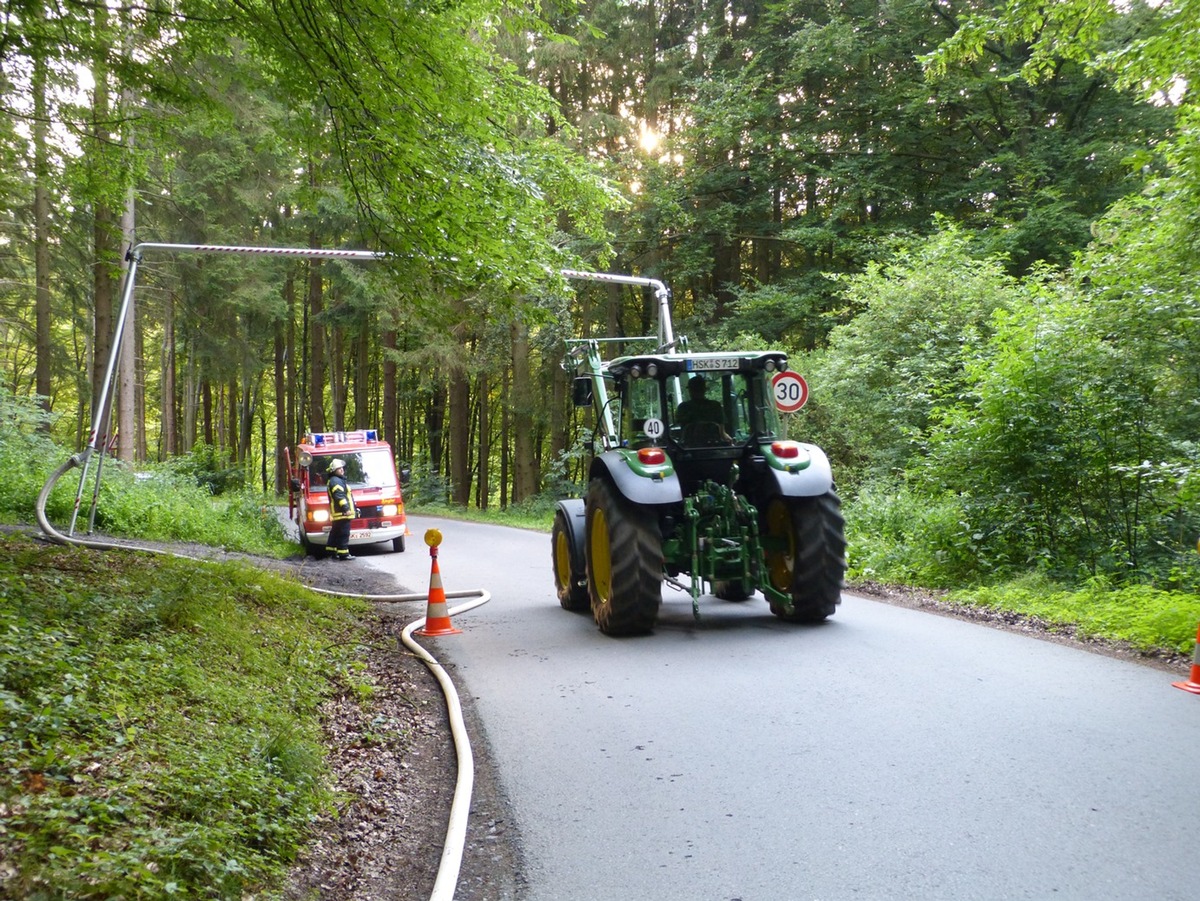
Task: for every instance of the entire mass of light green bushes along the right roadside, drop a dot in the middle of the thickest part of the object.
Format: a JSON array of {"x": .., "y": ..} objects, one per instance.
[{"x": 1045, "y": 427}]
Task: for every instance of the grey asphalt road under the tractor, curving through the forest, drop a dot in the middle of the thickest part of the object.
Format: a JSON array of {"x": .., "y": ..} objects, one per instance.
[{"x": 889, "y": 754}]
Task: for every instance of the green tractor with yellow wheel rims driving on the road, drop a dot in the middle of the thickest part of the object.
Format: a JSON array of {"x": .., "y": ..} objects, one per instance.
[{"x": 694, "y": 483}]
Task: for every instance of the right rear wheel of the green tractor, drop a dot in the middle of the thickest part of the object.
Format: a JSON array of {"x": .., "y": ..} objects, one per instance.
[{"x": 806, "y": 551}]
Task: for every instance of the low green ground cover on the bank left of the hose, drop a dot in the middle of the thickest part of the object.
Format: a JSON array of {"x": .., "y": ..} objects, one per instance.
[{"x": 159, "y": 723}]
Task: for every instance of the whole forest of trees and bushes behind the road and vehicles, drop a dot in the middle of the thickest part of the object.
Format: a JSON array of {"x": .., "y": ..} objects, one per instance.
[{"x": 971, "y": 224}]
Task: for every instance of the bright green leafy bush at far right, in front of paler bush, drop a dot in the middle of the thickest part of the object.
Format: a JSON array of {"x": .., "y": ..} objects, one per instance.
[{"x": 1064, "y": 461}]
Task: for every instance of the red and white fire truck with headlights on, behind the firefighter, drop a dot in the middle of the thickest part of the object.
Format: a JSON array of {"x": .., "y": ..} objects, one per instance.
[{"x": 371, "y": 476}]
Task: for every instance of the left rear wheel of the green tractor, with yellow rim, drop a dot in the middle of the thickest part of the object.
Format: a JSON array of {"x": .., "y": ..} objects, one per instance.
[{"x": 625, "y": 562}]
